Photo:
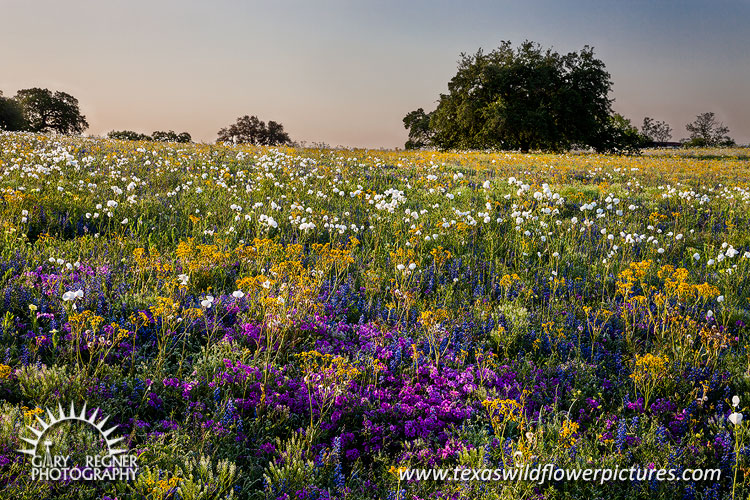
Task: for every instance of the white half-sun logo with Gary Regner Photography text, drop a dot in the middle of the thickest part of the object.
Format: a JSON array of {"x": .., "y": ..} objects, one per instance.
[{"x": 115, "y": 465}]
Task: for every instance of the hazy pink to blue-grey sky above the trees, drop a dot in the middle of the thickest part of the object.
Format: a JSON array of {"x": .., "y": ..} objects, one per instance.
[{"x": 346, "y": 72}]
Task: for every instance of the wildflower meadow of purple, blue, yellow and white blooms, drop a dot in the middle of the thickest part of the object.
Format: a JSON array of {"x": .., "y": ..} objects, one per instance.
[{"x": 301, "y": 324}]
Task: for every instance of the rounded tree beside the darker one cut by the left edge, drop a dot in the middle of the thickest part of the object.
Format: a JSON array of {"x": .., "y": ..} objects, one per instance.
[{"x": 46, "y": 111}]
